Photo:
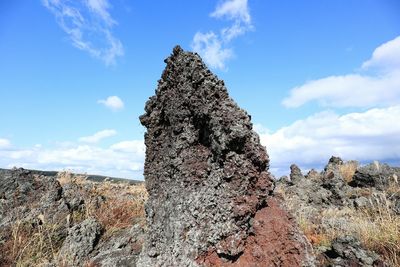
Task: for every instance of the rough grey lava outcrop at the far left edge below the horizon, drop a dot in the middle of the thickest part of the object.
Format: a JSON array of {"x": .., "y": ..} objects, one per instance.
[{"x": 27, "y": 197}]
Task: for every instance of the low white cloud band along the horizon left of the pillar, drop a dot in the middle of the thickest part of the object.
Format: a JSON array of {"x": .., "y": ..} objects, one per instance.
[{"x": 124, "y": 159}]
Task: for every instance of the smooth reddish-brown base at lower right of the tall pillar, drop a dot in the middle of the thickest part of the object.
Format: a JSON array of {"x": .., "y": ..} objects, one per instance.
[{"x": 276, "y": 242}]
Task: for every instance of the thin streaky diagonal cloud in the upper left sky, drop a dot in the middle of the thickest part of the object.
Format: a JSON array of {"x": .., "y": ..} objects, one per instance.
[{"x": 88, "y": 24}]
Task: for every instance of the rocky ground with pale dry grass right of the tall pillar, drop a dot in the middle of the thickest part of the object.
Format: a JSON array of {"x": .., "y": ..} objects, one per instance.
[{"x": 349, "y": 212}]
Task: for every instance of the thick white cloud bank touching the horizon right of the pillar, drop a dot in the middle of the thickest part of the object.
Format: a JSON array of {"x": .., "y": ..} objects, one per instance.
[{"x": 366, "y": 136}]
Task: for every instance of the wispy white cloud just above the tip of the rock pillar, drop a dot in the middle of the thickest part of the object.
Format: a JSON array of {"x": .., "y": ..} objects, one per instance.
[{"x": 214, "y": 47}]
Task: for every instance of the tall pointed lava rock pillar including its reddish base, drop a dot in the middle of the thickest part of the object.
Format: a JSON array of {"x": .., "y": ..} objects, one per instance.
[{"x": 210, "y": 193}]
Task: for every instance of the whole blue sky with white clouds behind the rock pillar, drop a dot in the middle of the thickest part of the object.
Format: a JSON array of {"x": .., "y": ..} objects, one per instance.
[{"x": 318, "y": 77}]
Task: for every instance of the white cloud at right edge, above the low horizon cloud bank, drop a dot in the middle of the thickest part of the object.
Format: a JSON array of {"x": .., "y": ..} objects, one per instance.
[{"x": 380, "y": 88}]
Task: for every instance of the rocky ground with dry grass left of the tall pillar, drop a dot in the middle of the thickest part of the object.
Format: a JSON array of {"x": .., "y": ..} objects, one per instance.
[{"x": 67, "y": 220}]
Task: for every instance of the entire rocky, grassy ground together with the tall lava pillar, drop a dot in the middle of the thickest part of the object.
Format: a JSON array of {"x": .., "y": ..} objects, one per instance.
[{"x": 208, "y": 200}]
